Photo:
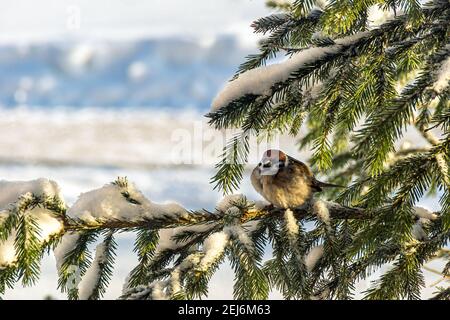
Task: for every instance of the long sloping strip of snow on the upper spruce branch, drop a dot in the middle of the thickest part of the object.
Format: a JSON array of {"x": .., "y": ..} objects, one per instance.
[{"x": 259, "y": 81}]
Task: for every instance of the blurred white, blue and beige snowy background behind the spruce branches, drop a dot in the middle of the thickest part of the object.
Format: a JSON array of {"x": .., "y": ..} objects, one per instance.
[{"x": 92, "y": 90}]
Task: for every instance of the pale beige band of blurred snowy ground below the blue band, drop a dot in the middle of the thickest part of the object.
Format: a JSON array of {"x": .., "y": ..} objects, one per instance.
[{"x": 131, "y": 137}]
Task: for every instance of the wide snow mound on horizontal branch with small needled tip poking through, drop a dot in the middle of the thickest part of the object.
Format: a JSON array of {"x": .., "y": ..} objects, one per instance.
[{"x": 109, "y": 203}]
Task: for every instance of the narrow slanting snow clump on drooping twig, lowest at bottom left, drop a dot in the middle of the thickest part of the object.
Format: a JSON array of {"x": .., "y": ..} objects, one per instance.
[{"x": 92, "y": 275}]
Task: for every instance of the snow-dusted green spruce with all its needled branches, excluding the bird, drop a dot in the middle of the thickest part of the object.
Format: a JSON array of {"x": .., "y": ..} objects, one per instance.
[{"x": 348, "y": 89}]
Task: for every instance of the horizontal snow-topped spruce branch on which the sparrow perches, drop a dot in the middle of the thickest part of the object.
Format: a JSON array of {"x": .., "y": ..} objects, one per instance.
[{"x": 120, "y": 205}]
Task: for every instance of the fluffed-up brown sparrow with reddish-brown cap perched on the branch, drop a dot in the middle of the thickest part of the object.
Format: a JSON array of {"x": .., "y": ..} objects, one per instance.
[{"x": 284, "y": 181}]
